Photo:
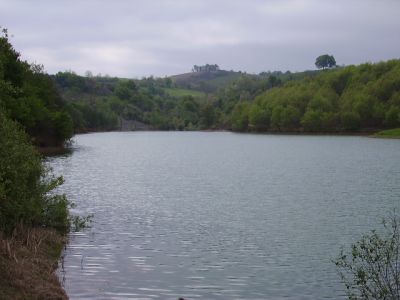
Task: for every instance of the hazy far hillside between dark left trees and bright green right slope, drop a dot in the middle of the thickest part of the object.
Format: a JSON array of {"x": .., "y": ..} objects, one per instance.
[{"x": 182, "y": 102}]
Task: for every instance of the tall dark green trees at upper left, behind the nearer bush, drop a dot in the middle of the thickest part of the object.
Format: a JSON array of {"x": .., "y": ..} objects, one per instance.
[{"x": 29, "y": 96}]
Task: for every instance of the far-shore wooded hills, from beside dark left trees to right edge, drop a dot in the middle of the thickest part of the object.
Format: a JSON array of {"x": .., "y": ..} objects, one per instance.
[{"x": 343, "y": 99}]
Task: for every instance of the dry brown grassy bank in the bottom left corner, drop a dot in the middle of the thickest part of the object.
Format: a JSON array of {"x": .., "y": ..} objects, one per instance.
[{"x": 28, "y": 259}]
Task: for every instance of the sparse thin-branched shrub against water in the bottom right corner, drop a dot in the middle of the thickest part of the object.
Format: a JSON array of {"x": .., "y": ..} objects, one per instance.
[{"x": 371, "y": 270}]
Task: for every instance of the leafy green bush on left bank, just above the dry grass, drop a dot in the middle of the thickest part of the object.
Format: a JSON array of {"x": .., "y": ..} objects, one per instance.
[{"x": 26, "y": 186}]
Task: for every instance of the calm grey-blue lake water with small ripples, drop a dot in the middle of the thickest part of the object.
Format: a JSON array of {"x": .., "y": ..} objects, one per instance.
[{"x": 221, "y": 215}]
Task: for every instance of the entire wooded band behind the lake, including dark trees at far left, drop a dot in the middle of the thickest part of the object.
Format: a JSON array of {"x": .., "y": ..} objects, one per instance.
[{"x": 52, "y": 108}]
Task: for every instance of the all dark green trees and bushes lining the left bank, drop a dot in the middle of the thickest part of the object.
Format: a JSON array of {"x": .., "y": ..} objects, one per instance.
[{"x": 31, "y": 110}]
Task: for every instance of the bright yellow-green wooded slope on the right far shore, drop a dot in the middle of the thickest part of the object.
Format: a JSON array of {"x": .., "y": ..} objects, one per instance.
[{"x": 365, "y": 97}]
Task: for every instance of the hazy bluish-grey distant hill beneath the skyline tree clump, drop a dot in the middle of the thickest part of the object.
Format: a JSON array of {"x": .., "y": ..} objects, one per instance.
[{"x": 207, "y": 82}]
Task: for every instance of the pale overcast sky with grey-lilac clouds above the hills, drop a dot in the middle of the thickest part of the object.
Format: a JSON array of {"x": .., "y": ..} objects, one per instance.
[{"x": 165, "y": 37}]
